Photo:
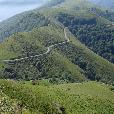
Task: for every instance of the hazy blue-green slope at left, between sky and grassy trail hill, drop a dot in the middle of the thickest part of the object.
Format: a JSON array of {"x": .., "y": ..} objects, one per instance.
[{"x": 22, "y": 22}]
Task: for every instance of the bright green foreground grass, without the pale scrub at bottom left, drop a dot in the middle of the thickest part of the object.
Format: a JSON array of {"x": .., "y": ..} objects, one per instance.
[{"x": 82, "y": 98}]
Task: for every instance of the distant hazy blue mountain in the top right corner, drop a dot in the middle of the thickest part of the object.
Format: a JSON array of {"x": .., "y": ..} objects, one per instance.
[{"x": 104, "y": 3}]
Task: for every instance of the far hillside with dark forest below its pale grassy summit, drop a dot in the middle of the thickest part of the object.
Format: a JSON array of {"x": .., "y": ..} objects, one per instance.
[{"x": 99, "y": 32}]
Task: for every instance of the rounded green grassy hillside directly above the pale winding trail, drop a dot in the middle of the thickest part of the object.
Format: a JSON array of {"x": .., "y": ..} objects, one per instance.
[{"x": 38, "y": 38}]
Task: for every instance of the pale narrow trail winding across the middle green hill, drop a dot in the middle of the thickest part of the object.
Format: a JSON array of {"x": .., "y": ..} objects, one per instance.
[{"x": 49, "y": 48}]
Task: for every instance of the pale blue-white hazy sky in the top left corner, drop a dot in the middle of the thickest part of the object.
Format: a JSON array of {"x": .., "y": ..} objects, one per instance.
[{"x": 8, "y": 8}]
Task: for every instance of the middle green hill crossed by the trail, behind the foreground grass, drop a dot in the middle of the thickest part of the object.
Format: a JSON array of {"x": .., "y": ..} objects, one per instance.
[{"x": 68, "y": 61}]
